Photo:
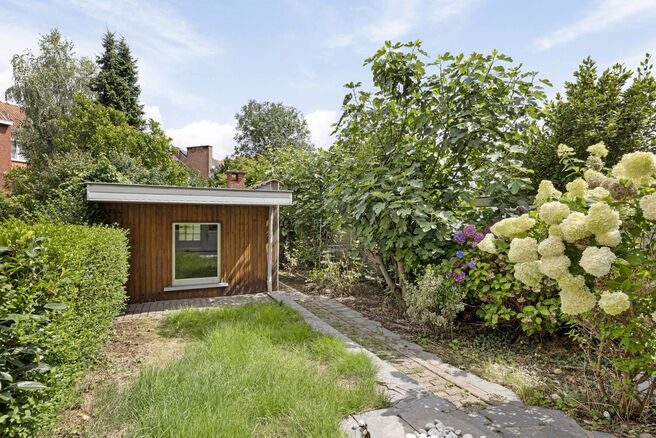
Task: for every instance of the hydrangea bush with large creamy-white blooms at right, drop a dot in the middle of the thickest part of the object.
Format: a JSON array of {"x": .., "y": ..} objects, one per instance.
[{"x": 595, "y": 242}]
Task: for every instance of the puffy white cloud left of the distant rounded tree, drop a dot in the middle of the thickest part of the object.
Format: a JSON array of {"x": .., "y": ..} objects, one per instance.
[{"x": 205, "y": 132}]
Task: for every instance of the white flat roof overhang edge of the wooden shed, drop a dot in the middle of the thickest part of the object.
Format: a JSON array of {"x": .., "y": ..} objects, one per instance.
[{"x": 140, "y": 193}]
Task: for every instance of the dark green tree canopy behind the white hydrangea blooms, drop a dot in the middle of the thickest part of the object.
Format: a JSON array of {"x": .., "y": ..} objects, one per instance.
[{"x": 617, "y": 107}]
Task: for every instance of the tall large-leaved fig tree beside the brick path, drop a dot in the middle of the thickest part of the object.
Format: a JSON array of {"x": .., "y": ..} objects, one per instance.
[{"x": 414, "y": 152}]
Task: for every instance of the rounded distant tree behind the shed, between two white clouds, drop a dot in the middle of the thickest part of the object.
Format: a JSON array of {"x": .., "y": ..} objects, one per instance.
[{"x": 262, "y": 125}]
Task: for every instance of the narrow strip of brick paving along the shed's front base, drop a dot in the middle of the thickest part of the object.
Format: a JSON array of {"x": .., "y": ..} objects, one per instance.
[{"x": 159, "y": 308}]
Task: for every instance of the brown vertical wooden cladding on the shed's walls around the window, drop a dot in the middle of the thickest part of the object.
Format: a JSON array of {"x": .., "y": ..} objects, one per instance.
[{"x": 244, "y": 239}]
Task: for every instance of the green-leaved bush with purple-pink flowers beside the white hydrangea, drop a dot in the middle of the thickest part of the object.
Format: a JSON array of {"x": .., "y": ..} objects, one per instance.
[{"x": 491, "y": 288}]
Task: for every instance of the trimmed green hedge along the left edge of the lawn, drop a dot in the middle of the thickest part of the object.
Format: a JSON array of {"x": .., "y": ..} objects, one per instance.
[{"x": 61, "y": 287}]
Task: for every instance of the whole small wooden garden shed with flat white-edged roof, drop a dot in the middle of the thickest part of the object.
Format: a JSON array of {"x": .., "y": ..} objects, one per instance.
[{"x": 192, "y": 242}]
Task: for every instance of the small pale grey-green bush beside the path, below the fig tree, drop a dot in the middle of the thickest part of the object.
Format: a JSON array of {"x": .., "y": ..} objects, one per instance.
[{"x": 435, "y": 301}]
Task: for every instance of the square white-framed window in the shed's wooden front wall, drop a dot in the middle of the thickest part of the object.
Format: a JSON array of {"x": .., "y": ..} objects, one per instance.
[{"x": 196, "y": 253}]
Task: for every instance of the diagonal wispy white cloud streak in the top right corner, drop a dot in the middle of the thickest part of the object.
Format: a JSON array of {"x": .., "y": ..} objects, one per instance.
[{"x": 603, "y": 15}]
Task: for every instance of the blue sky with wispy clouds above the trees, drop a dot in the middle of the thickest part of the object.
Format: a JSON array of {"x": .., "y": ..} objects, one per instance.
[{"x": 200, "y": 61}]
